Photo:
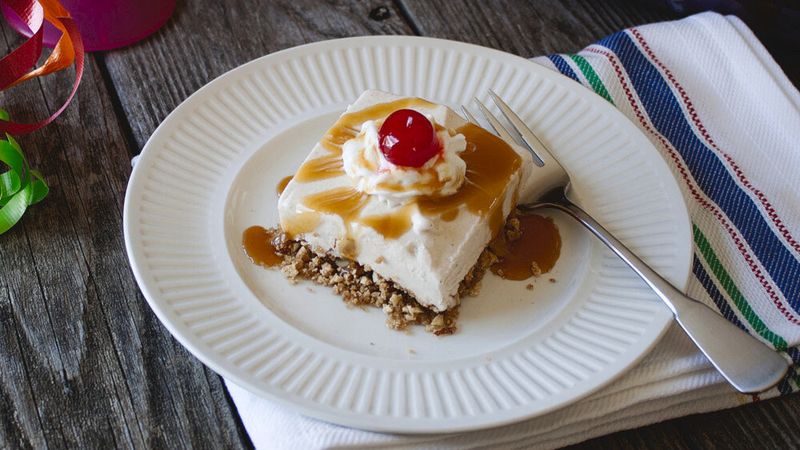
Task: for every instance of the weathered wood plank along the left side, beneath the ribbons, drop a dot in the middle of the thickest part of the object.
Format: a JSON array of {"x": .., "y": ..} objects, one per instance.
[{"x": 88, "y": 363}]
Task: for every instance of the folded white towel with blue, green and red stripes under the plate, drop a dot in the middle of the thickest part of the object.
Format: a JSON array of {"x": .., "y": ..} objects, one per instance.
[{"x": 727, "y": 121}]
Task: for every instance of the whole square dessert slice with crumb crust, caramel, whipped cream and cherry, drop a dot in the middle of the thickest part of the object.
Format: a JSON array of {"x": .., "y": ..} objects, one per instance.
[{"x": 370, "y": 213}]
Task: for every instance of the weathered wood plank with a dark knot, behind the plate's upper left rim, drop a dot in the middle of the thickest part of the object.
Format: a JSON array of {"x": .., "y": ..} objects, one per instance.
[{"x": 206, "y": 39}]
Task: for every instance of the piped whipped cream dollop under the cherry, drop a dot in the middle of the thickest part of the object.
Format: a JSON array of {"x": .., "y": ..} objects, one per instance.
[{"x": 373, "y": 174}]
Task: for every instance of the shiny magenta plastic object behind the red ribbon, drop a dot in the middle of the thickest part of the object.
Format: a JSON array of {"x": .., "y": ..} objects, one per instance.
[{"x": 105, "y": 24}]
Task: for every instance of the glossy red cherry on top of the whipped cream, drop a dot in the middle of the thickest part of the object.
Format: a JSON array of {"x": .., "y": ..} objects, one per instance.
[{"x": 407, "y": 138}]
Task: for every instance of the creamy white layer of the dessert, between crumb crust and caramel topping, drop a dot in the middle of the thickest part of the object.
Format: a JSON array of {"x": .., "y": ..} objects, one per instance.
[{"x": 429, "y": 255}]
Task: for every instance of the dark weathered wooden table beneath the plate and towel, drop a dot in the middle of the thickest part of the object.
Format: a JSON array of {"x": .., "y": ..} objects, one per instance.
[{"x": 83, "y": 360}]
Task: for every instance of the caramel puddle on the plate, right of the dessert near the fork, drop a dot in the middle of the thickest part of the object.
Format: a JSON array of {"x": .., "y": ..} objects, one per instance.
[{"x": 537, "y": 250}]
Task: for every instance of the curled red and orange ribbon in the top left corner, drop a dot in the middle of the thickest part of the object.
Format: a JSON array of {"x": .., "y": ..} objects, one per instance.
[{"x": 16, "y": 66}]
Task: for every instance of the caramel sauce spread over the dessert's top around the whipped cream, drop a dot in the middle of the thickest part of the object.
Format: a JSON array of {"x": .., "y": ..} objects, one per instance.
[{"x": 490, "y": 164}]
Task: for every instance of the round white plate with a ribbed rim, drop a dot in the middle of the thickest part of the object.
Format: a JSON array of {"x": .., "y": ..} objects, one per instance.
[{"x": 210, "y": 170}]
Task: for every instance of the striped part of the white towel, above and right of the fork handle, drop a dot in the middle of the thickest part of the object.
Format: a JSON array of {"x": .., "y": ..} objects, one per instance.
[{"x": 725, "y": 118}]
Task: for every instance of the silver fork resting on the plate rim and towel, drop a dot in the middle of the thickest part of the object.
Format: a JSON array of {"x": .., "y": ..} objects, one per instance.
[{"x": 747, "y": 364}]
